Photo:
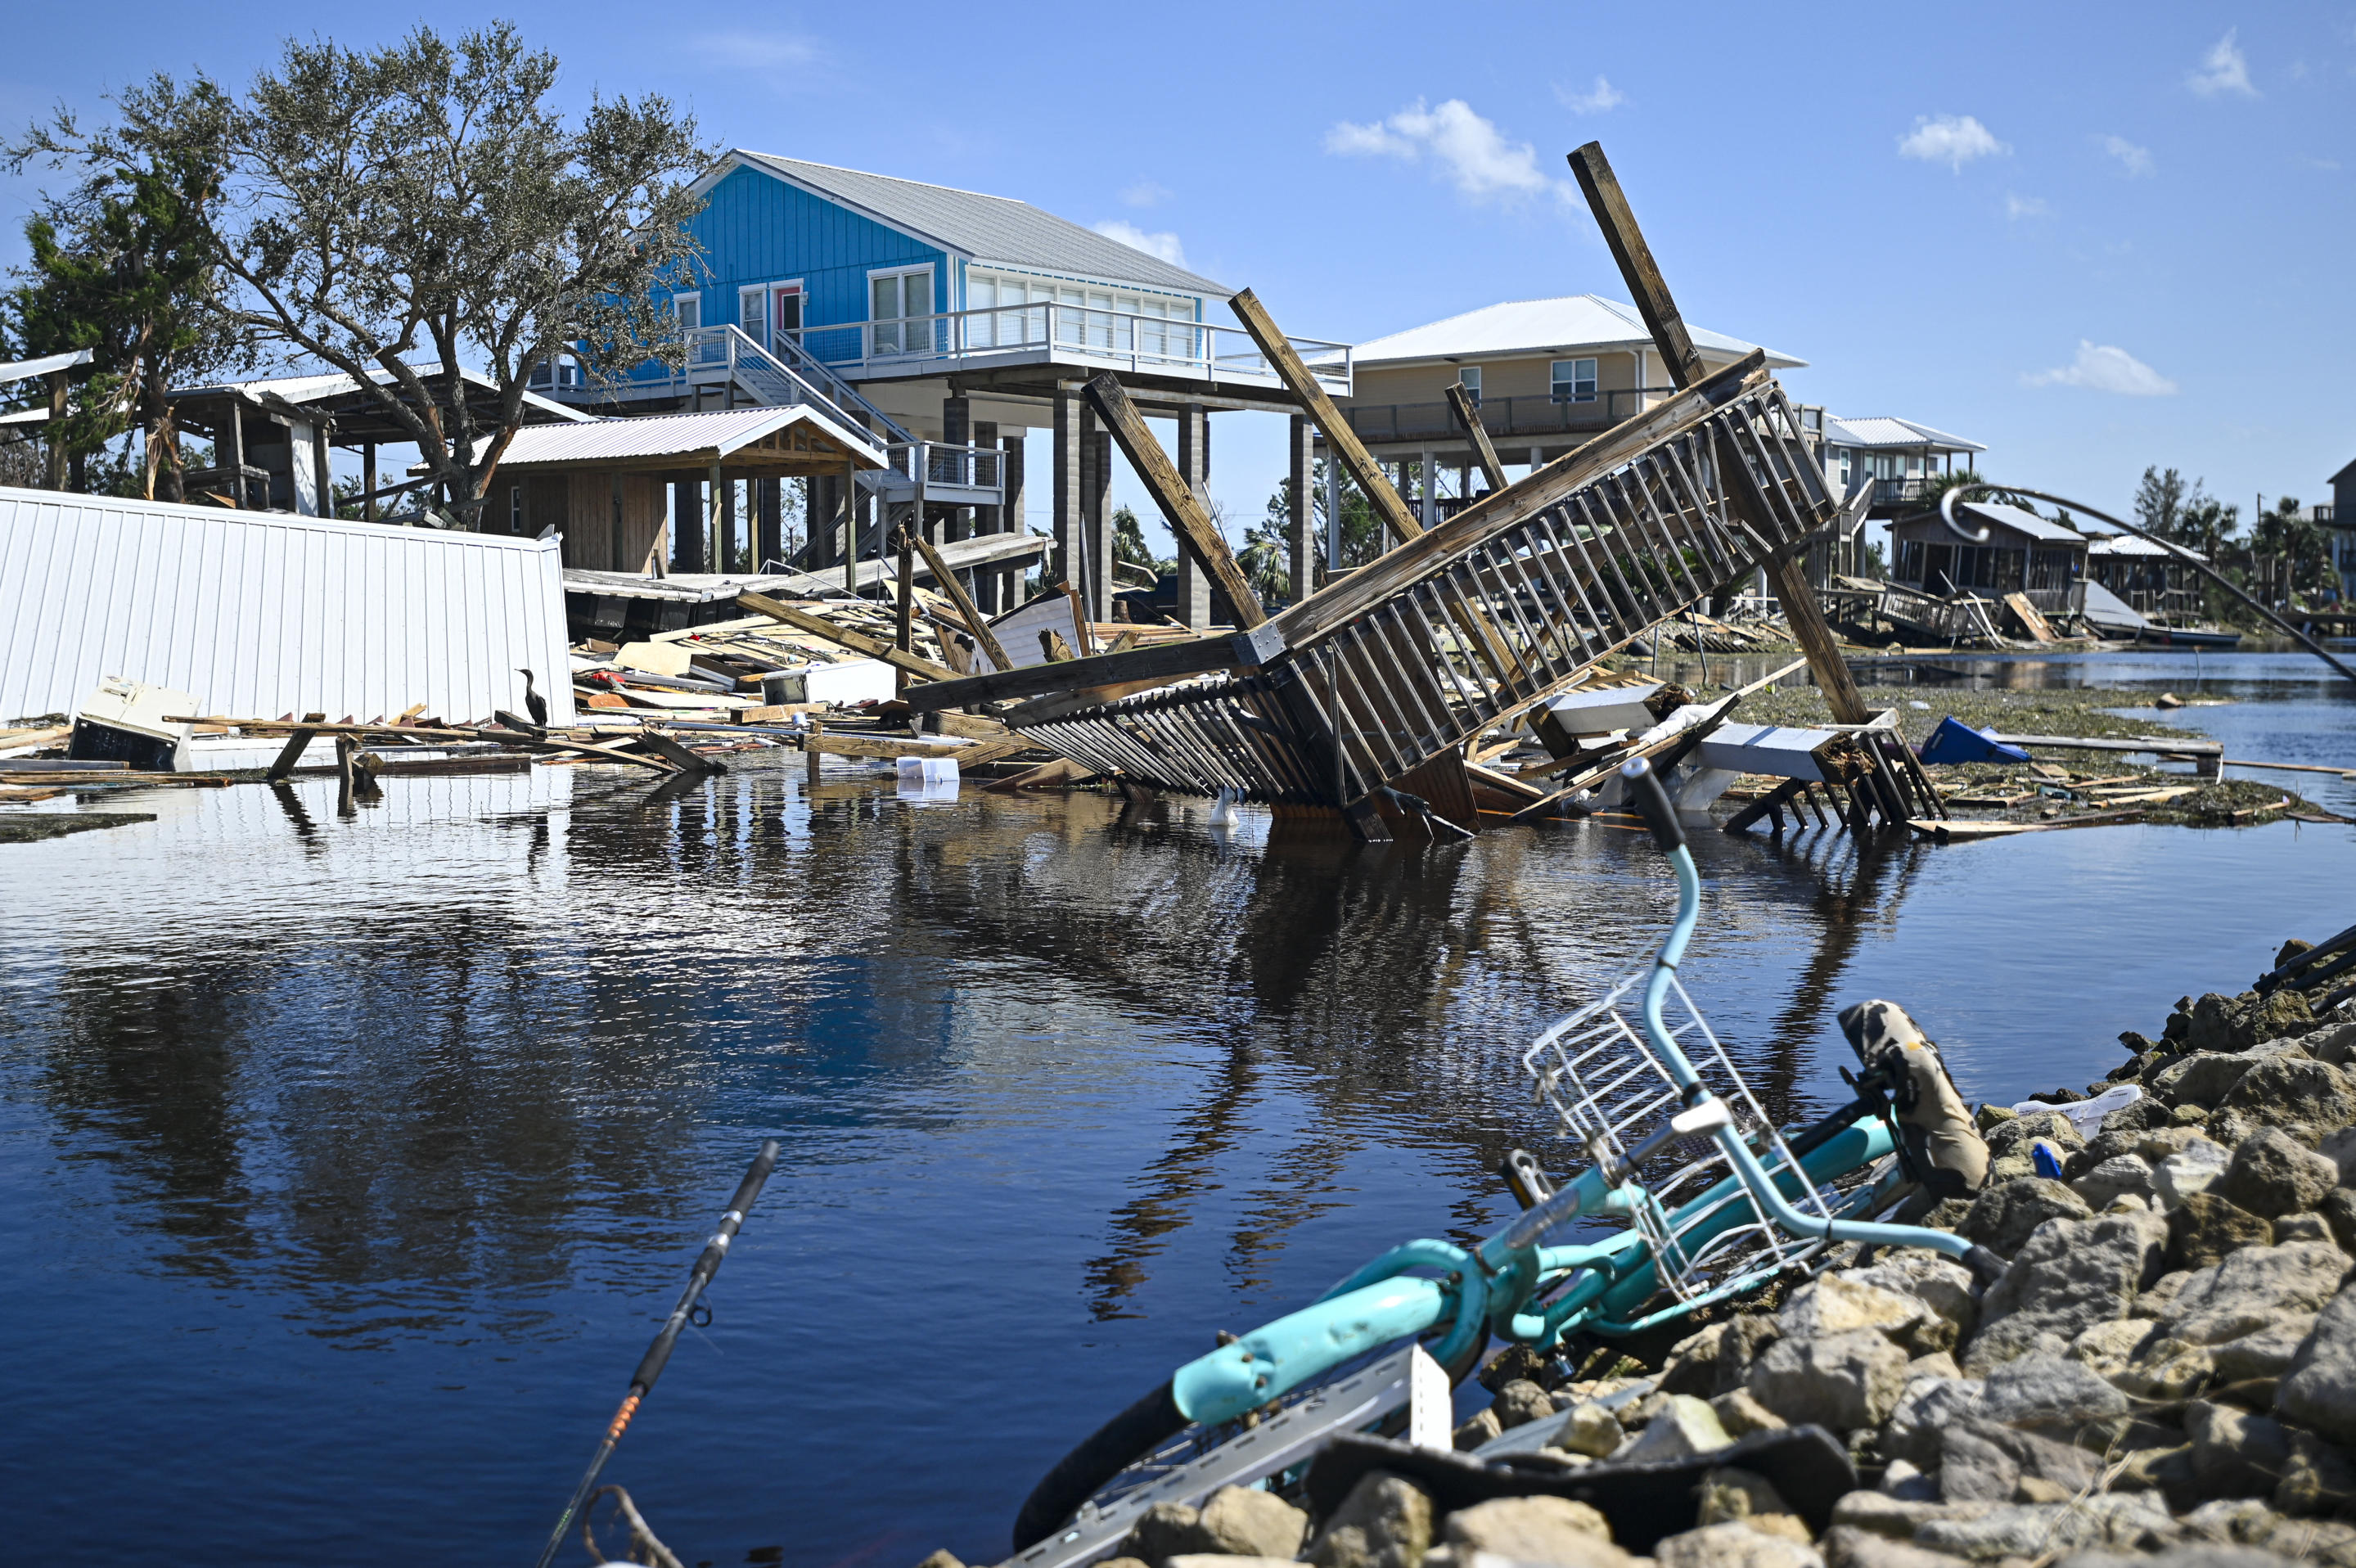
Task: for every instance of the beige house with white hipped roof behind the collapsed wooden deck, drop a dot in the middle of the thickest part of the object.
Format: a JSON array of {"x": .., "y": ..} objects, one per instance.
[{"x": 1547, "y": 376}]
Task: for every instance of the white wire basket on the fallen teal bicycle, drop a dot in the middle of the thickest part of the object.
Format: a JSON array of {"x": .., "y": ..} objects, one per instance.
[{"x": 1610, "y": 1091}]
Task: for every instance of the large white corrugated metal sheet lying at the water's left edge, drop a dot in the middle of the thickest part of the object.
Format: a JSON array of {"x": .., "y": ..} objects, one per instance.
[{"x": 260, "y": 613}]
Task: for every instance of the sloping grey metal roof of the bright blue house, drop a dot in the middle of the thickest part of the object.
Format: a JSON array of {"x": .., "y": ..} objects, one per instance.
[{"x": 979, "y": 227}]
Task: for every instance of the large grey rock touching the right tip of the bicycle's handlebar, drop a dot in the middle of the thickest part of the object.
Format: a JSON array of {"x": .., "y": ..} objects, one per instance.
[{"x": 2070, "y": 1277}]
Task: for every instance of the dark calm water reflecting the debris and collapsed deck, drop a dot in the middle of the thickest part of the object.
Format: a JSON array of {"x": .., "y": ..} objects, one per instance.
[{"x": 350, "y": 1162}]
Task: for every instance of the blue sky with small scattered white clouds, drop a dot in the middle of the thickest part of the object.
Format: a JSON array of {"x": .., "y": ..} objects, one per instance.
[{"x": 2089, "y": 237}]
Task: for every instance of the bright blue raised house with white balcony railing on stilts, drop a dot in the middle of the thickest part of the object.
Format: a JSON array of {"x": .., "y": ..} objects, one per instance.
[{"x": 948, "y": 324}]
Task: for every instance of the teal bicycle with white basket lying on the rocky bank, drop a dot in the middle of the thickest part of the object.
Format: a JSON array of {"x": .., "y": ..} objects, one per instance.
[{"x": 1714, "y": 1197}]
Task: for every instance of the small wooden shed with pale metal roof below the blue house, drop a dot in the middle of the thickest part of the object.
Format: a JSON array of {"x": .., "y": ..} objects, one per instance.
[{"x": 602, "y": 484}]
